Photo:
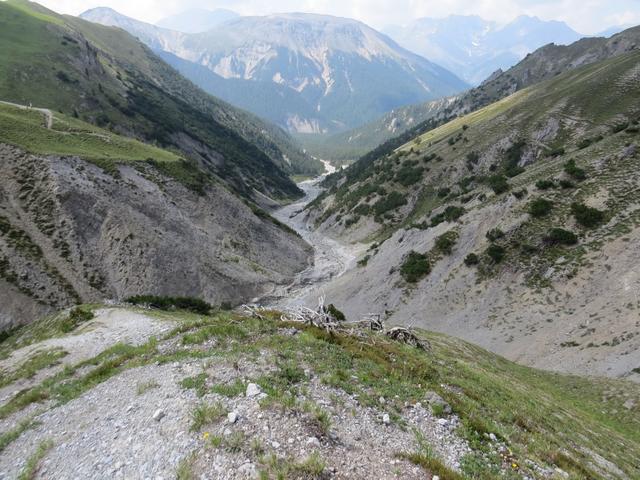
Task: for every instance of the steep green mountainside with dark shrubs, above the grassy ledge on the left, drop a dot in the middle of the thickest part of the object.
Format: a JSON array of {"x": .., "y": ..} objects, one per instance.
[{"x": 108, "y": 78}]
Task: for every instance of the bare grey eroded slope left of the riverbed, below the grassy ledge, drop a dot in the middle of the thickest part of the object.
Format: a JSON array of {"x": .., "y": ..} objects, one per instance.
[{"x": 71, "y": 232}]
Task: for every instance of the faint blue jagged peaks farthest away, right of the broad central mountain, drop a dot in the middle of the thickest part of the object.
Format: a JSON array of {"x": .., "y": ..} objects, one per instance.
[{"x": 473, "y": 48}]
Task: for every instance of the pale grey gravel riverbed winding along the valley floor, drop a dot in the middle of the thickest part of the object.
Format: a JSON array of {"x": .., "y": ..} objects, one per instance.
[{"x": 331, "y": 259}]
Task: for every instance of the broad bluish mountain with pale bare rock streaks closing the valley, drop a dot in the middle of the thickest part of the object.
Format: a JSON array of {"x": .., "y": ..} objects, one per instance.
[{"x": 309, "y": 73}]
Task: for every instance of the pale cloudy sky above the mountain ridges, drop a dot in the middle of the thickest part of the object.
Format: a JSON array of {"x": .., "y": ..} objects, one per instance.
[{"x": 585, "y": 16}]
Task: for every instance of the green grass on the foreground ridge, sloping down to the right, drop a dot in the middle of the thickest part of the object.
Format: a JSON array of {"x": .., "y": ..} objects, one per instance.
[{"x": 547, "y": 419}]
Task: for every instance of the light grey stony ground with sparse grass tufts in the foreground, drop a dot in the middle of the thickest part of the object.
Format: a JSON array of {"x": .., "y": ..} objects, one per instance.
[{"x": 140, "y": 423}]
